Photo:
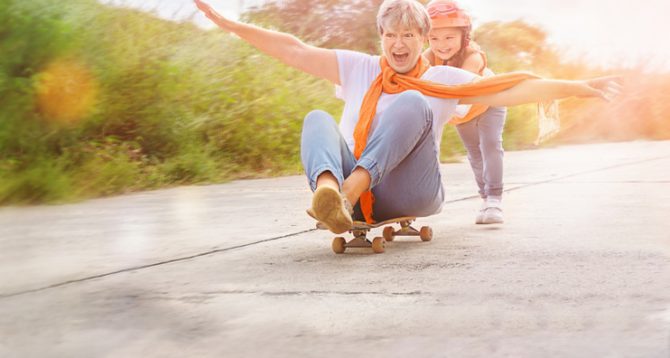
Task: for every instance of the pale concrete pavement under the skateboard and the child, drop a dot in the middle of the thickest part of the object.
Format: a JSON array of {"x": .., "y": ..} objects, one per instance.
[{"x": 580, "y": 268}]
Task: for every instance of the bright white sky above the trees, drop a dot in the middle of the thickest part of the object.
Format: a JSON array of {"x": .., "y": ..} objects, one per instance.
[{"x": 605, "y": 32}]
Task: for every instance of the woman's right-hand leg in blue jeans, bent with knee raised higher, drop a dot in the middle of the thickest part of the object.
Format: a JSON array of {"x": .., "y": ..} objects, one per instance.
[{"x": 401, "y": 157}]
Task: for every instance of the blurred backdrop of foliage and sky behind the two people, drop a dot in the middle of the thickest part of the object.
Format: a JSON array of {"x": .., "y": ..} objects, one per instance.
[{"x": 106, "y": 97}]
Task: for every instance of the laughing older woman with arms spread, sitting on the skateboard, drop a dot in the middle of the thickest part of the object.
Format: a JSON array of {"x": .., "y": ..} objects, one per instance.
[{"x": 383, "y": 156}]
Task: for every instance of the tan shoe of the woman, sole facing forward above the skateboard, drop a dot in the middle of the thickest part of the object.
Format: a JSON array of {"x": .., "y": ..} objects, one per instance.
[{"x": 328, "y": 208}]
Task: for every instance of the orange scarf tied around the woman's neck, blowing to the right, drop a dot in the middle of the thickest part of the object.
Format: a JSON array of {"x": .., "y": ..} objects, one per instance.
[{"x": 391, "y": 82}]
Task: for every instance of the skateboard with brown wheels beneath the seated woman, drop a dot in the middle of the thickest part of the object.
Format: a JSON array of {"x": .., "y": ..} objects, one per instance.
[{"x": 361, "y": 229}]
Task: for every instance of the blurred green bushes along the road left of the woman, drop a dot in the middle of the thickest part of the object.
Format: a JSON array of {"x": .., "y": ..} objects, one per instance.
[{"x": 173, "y": 104}]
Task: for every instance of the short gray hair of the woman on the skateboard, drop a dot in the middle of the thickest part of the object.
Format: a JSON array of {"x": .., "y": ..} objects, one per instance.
[{"x": 410, "y": 14}]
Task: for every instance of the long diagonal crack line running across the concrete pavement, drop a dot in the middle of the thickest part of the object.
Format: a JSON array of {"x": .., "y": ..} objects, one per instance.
[{"x": 216, "y": 251}]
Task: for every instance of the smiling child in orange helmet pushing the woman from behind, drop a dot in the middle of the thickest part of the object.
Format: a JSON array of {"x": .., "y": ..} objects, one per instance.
[{"x": 480, "y": 130}]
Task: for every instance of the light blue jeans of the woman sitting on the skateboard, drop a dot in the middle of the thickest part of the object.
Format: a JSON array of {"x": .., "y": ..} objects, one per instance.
[{"x": 401, "y": 157}]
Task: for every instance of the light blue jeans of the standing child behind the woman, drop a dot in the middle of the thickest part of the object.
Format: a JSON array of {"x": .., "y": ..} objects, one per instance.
[{"x": 482, "y": 138}]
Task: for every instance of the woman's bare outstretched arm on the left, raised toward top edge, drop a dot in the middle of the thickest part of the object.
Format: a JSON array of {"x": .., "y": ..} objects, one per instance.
[{"x": 286, "y": 48}]
